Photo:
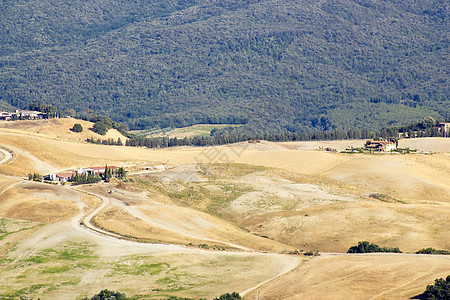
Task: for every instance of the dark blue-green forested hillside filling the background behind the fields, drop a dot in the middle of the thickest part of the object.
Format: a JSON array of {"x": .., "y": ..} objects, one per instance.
[{"x": 270, "y": 64}]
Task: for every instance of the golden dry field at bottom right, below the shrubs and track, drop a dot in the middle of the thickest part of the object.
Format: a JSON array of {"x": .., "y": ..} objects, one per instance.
[{"x": 357, "y": 277}]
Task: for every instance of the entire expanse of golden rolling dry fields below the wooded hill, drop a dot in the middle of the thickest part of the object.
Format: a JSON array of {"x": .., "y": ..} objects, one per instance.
[{"x": 218, "y": 219}]
